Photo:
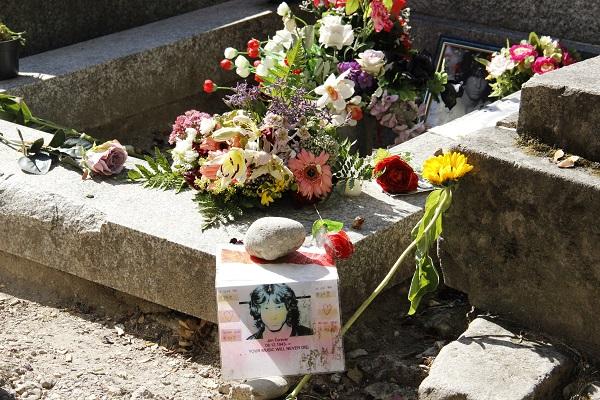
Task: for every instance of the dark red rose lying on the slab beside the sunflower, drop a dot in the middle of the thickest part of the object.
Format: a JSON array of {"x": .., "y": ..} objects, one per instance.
[{"x": 395, "y": 175}]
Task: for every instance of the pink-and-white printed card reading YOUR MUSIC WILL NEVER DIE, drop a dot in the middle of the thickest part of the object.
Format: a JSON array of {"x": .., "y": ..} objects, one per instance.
[{"x": 277, "y": 318}]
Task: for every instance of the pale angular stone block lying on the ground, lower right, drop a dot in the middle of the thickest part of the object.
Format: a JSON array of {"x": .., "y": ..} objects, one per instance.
[{"x": 489, "y": 362}]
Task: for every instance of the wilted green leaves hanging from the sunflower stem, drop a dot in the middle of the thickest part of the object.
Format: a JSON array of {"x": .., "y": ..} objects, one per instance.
[{"x": 426, "y": 278}]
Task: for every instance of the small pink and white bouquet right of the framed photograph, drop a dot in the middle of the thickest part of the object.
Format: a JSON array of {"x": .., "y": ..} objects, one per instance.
[{"x": 513, "y": 65}]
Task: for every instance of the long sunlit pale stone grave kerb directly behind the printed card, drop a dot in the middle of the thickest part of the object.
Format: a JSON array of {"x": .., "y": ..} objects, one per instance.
[{"x": 148, "y": 243}]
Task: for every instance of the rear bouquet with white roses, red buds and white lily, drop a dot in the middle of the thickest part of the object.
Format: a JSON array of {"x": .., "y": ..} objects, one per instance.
[{"x": 366, "y": 42}]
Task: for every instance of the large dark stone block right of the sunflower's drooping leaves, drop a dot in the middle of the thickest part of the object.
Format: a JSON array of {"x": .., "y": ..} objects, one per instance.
[{"x": 522, "y": 239}]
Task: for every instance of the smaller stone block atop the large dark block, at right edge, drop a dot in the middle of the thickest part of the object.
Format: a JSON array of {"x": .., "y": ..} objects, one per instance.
[{"x": 561, "y": 108}]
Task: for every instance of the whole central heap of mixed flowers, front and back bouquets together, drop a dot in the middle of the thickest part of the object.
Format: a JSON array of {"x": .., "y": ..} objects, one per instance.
[{"x": 281, "y": 135}]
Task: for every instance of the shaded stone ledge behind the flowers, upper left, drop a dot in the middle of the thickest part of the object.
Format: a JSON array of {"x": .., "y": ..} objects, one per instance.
[{"x": 103, "y": 86}]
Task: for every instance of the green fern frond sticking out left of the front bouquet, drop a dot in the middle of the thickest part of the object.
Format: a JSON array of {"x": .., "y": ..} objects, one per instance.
[{"x": 158, "y": 174}]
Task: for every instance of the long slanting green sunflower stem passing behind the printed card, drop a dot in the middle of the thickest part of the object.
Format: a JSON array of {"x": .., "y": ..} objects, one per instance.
[{"x": 438, "y": 211}]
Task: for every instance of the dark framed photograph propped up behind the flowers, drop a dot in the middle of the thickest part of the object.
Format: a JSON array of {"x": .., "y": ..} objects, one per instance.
[{"x": 468, "y": 90}]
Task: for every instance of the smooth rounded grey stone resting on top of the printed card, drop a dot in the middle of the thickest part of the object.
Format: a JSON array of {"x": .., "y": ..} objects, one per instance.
[{"x": 270, "y": 238}]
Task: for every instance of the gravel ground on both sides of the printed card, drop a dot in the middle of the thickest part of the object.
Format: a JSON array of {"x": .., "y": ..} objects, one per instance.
[{"x": 52, "y": 351}]
